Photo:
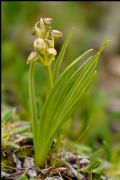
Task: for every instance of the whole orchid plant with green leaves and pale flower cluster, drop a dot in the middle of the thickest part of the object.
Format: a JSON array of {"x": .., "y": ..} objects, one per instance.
[{"x": 65, "y": 89}]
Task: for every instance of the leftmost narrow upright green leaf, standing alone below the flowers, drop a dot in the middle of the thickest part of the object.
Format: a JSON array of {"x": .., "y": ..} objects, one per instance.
[{"x": 33, "y": 108}]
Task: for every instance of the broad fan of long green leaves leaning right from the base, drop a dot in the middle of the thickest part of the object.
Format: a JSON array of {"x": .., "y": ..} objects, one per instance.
[{"x": 62, "y": 100}]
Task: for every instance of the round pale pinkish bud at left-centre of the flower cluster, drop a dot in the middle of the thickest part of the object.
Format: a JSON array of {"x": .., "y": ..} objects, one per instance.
[{"x": 39, "y": 44}]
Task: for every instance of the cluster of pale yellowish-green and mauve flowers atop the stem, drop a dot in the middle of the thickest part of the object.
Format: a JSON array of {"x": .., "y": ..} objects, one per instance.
[{"x": 44, "y": 43}]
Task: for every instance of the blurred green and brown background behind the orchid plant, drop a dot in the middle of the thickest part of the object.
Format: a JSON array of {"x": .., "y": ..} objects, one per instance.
[{"x": 94, "y": 22}]
